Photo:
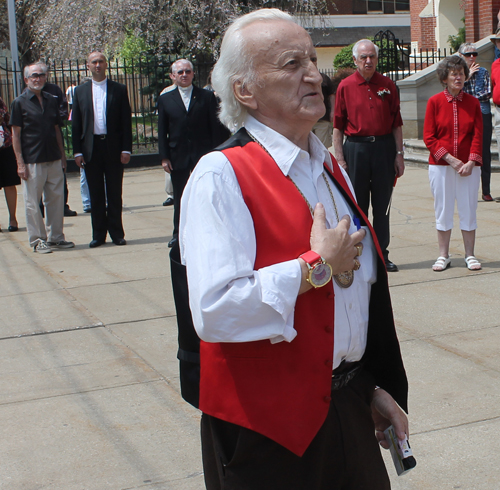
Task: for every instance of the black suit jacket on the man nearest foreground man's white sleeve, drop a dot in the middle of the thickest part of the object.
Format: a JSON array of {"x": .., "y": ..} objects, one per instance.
[{"x": 185, "y": 136}]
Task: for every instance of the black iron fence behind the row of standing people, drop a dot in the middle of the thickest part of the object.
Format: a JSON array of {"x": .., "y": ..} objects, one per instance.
[{"x": 145, "y": 78}]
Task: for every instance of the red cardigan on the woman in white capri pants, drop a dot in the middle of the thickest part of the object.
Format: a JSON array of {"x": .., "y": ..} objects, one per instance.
[{"x": 461, "y": 136}]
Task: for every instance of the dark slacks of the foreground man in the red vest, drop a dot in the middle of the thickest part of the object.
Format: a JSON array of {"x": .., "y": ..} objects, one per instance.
[{"x": 344, "y": 455}]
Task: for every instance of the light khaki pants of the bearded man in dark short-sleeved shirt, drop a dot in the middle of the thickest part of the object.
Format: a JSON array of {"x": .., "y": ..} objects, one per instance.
[{"x": 47, "y": 179}]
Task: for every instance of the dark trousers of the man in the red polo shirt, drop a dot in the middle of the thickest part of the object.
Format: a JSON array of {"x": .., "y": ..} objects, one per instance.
[{"x": 371, "y": 170}]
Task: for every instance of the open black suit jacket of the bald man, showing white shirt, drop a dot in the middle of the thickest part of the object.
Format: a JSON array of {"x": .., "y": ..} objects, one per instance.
[{"x": 118, "y": 120}]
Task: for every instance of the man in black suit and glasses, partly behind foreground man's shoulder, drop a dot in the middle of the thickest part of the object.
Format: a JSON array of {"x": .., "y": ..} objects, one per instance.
[{"x": 188, "y": 128}]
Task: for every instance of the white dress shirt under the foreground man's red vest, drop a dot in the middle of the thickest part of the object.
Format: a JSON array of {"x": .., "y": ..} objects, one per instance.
[{"x": 232, "y": 302}]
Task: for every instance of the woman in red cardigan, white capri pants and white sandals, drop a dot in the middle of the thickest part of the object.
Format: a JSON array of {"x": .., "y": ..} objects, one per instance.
[{"x": 453, "y": 131}]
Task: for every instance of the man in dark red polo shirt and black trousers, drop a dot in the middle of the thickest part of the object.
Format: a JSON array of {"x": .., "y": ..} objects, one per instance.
[{"x": 367, "y": 113}]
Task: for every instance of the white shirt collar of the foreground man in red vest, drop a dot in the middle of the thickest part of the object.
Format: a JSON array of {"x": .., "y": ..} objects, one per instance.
[{"x": 281, "y": 149}]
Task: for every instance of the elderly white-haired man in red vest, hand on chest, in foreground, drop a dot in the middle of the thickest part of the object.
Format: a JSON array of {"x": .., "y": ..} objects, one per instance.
[{"x": 300, "y": 374}]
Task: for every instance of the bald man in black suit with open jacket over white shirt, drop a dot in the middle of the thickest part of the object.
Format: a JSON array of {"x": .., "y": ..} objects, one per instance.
[{"x": 102, "y": 143}]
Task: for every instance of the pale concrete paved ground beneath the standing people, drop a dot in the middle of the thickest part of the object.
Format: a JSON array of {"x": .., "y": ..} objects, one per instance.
[{"x": 89, "y": 395}]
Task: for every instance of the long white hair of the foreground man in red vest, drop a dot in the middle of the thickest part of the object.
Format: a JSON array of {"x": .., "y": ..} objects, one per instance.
[{"x": 236, "y": 64}]
